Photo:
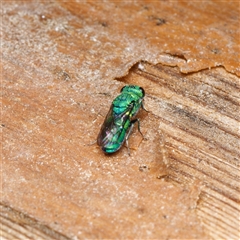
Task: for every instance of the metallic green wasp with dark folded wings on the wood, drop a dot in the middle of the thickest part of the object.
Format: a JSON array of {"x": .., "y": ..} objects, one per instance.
[{"x": 119, "y": 121}]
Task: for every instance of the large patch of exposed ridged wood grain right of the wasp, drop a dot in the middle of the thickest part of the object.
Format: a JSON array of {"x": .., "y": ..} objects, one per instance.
[{"x": 198, "y": 118}]
